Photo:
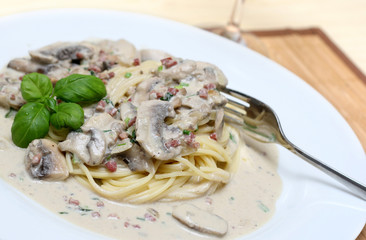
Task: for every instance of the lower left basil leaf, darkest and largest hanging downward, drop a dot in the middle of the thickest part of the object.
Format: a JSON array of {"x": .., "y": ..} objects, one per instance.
[{"x": 31, "y": 122}]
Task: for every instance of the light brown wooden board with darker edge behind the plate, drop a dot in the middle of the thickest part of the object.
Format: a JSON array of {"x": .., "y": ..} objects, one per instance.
[{"x": 311, "y": 55}]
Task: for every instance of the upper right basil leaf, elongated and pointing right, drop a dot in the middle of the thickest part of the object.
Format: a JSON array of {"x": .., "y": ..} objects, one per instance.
[{"x": 80, "y": 88}]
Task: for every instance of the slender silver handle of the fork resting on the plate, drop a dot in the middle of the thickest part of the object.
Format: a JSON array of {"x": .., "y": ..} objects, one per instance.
[{"x": 356, "y": 187}]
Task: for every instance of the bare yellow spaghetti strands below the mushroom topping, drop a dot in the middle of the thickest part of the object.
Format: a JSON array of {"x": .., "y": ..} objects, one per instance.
[{"x": 183, "y": 177}]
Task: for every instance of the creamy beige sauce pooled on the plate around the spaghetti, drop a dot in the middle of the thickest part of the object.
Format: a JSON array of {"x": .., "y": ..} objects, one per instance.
[{"x": 246, "y": 203}]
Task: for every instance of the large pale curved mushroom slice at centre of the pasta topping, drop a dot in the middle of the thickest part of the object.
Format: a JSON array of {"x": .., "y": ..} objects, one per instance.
[{"x": 153, "y": 134}]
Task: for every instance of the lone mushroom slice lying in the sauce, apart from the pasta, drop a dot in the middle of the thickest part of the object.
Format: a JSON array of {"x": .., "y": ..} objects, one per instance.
[{"x": 200, "y": 220}]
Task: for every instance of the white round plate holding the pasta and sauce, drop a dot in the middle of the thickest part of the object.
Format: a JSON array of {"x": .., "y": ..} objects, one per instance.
[{"x": 312, "y": 206}]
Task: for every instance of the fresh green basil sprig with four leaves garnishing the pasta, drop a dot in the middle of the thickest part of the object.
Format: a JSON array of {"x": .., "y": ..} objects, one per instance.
[{"x": 33, "y": 119}]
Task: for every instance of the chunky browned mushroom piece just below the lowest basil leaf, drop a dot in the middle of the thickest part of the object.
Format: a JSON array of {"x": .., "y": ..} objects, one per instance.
[{"x": 44, "y": 160}]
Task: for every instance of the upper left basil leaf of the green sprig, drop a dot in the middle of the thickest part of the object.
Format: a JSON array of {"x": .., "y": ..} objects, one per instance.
[{"x": 35, "y": 87}]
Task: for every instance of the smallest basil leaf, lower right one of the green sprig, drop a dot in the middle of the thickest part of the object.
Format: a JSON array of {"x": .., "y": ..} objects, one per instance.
[{"x": 68, "y": 115}]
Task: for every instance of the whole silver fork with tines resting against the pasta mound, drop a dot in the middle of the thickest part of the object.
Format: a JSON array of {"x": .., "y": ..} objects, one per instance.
[{"x": 262, "y": 124}]
